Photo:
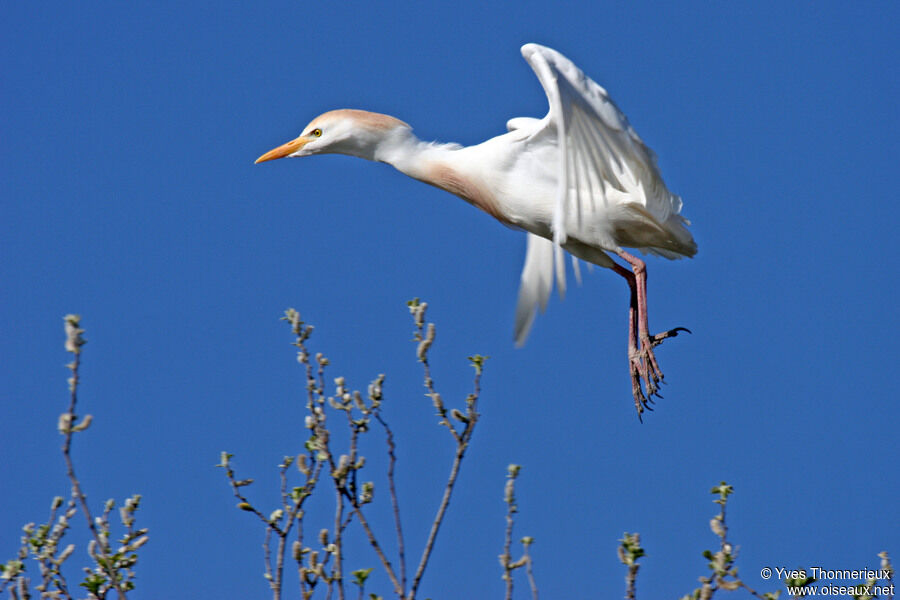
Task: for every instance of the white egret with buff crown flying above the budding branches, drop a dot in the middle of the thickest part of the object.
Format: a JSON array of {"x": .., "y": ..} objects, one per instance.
[{"x": 580, "y": 181}]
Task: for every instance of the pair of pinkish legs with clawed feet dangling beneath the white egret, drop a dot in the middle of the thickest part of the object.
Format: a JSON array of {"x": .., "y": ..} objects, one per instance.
[{"x": 642, "y": 360}]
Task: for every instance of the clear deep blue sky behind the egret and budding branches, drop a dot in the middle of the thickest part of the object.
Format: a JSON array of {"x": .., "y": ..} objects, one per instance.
[{"x": 130, "y": 197}]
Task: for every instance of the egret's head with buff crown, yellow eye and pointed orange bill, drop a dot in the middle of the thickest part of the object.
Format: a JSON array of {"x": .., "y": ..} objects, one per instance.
[{"x": 344, "y": 131}]
